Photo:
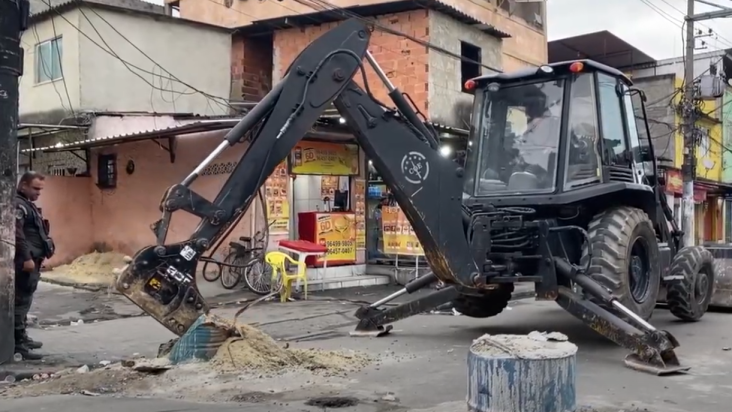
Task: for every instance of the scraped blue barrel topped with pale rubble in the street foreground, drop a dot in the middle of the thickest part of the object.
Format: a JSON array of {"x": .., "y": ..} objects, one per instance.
[{"x": 522, "y": 373}]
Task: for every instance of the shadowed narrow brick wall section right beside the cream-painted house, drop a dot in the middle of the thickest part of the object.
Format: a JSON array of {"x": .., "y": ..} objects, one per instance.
[{"x": 251, "y": 67}]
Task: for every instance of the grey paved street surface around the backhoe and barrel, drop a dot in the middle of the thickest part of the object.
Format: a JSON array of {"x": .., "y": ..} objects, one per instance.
[{"x": 429, "y": 372}]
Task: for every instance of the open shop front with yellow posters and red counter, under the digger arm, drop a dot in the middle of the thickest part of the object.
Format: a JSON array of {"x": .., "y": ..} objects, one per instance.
[{"x": 319, "y": 195}]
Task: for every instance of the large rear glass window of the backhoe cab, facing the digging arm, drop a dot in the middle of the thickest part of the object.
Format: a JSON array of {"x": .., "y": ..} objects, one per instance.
[{"x": 518, "y": 137}]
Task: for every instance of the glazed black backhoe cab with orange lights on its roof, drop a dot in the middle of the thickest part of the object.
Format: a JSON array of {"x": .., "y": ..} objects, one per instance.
[{"x": 545, "y": 135}]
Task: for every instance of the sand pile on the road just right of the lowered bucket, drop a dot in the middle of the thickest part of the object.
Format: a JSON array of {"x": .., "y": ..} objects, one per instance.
[{"x": 257, "y": 352}]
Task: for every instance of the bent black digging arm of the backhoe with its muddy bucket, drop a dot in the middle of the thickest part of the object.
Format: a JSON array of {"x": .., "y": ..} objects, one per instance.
[{"x": 428, "y": 187}]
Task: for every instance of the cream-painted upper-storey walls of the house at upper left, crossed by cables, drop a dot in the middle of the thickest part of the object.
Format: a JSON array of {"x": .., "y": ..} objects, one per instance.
[{"x": 97, "y": 81}]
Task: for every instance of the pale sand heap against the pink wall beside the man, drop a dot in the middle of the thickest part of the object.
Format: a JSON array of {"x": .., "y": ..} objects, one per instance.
[{"x": 92, "y": 268}]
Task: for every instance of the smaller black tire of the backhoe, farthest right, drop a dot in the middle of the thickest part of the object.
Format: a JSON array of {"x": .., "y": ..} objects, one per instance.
[{"x": 690, "y": 283}]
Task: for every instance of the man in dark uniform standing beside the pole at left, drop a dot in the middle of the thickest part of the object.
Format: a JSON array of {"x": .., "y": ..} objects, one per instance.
[{"x": 32, "y": 245}]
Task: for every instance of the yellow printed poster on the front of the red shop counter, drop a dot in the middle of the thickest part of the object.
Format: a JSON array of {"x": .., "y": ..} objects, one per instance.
[{"x": 337, "y": 232}]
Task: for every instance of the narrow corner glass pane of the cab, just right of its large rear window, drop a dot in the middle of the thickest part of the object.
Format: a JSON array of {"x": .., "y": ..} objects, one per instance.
[{"x": 583, "y": 164}]
